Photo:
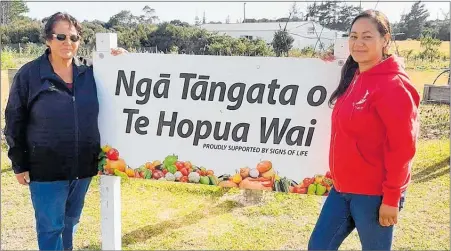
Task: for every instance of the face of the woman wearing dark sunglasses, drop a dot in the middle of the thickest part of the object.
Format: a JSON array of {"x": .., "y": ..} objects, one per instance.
[{"x": 67, "y": 48}]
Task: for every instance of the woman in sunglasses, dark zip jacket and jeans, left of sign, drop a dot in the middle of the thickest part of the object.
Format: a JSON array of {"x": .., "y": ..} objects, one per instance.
[{"x": 52, "y": 132}]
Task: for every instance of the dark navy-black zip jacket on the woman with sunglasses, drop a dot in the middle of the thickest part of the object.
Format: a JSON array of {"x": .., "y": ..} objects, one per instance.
[{"x": 52, "y": 132}]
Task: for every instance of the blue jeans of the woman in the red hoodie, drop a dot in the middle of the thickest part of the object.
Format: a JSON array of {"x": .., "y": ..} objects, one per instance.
[{"x": 342, "y": 213}]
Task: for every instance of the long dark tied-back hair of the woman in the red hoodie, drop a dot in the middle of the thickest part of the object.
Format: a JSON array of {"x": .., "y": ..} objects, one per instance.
[{"x": 351, "y": 66}]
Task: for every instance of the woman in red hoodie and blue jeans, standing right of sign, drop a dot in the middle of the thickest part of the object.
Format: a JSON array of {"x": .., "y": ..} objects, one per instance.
[{"x": 373, "y": 141}]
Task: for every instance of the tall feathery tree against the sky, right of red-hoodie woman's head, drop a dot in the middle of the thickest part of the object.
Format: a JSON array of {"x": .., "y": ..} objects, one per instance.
[{"x": 413, "y": 22}]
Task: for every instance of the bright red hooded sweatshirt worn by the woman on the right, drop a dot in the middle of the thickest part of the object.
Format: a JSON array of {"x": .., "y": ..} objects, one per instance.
[{"x": 374, "y": 133}]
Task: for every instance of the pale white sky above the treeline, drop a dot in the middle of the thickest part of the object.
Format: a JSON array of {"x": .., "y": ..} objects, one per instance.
[{"x": 214, "y": 10}]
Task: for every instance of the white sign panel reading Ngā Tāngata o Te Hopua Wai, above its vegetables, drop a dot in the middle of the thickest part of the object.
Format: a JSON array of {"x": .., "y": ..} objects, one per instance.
[{"x": 222, "y": 113}]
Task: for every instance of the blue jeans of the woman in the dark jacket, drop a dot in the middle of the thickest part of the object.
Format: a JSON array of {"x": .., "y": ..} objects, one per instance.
[{"x": 58, "y": 206}]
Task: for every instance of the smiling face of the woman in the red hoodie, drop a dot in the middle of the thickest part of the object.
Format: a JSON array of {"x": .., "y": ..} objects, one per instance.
[{"x": 366, "y": 44}]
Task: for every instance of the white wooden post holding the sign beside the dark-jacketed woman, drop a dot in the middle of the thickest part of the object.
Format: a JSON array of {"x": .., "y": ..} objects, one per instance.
[{"x": 110, "y": 186}]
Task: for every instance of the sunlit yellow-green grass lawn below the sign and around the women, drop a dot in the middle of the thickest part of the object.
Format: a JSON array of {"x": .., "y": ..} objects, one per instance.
[{"x": 184, "y": 216}]
